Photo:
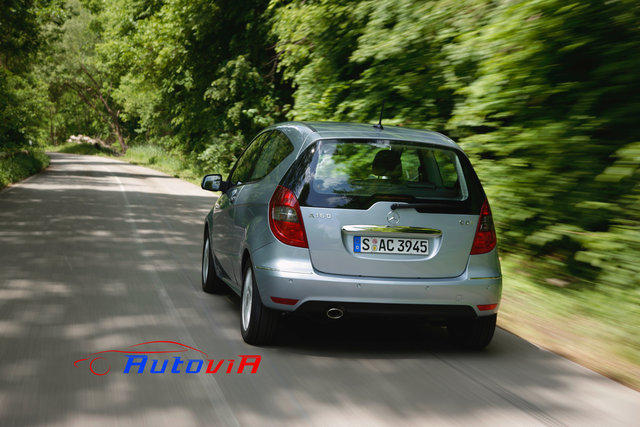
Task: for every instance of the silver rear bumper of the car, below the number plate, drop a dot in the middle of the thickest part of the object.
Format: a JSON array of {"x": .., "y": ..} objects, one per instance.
[{"x": 387, "y": 296}]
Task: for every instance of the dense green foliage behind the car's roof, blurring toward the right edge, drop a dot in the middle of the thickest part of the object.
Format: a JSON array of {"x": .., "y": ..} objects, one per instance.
[{"x": 543, "y": 94}]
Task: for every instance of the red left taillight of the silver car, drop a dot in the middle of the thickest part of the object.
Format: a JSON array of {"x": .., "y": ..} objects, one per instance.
[{"x": 285, "y": 218}]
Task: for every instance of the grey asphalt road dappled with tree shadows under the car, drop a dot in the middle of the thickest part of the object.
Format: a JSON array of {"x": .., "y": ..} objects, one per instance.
[{"x": 97, "y": 254}]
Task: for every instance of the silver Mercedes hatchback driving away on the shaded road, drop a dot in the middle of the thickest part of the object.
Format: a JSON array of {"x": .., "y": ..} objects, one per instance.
[{"x": 341, "y": 220}]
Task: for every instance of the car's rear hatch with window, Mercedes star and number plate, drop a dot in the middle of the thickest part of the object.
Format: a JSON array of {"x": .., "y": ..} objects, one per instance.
[{"x": 352, "y": 192}]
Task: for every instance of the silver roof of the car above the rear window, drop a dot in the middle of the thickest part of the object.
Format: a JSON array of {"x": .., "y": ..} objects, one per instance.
[{"x": 305, "y": 133}]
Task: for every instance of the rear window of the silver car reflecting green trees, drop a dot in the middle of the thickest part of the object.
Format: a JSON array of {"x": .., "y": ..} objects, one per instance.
[{"x": 357, "y": 173}]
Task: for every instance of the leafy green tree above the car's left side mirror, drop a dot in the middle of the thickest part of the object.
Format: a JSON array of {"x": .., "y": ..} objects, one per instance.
[{"x": 192, "y": 74}]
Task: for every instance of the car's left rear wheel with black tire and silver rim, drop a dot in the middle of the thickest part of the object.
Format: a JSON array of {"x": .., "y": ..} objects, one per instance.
[{"x": 262, "y": 323}]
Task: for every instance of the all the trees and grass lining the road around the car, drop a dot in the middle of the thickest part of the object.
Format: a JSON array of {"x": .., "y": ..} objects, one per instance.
[{"x": 544, "y": 95}]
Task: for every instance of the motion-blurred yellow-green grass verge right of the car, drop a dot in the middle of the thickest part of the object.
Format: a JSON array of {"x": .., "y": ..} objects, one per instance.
[{"x": 598, "y": 327}]
